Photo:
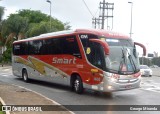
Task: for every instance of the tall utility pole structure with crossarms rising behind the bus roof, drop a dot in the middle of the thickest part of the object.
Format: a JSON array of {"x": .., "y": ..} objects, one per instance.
[{"x": 106, "y": 12}]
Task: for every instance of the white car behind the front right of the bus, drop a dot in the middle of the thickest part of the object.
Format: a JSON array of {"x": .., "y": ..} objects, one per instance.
[{"x": 145, "y": 70}]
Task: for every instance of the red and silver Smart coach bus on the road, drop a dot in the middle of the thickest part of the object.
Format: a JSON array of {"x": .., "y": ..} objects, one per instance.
[{"x": 99, "y": 60}]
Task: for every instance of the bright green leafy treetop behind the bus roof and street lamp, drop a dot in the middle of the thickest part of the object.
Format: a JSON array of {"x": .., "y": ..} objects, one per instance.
[{"x": 39, "y": 23}]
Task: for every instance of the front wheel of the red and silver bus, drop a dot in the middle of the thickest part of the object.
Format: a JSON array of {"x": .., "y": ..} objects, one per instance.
[{"x": 78, "y": 85}]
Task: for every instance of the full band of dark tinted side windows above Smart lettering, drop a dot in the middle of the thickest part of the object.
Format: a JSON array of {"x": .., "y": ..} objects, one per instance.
[{"x": 63, "y": 45}]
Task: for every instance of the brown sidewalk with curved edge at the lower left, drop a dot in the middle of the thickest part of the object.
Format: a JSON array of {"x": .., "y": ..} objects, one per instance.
[{"x": 14, "y": 95}]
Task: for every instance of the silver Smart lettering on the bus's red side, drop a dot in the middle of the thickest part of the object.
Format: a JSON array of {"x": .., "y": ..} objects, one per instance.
[{"x": 64, "y": 61}]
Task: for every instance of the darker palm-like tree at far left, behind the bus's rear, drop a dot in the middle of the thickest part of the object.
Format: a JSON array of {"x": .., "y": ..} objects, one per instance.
[{"x": 14, "y": 28}]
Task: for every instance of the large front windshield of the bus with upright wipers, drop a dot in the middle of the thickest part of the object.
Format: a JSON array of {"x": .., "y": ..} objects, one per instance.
[{"x": 123, "y": 57}]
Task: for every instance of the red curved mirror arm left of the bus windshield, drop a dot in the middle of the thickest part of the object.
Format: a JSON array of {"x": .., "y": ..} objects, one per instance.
[{"x": 103, "y": 44}]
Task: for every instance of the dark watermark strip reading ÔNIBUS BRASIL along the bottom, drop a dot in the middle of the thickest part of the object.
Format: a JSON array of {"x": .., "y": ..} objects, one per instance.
[{"x": 81, "y": 108}]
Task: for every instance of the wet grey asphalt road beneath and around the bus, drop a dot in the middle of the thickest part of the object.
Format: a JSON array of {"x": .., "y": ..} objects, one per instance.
[{"x": 148, "y": 94}]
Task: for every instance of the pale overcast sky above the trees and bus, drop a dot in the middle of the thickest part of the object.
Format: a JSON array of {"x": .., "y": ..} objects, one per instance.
[{"x": 145, "y": 16}]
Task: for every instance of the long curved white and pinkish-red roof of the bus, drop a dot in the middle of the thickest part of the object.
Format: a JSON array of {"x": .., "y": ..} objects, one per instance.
[{"x": 99, "y": 32}]
